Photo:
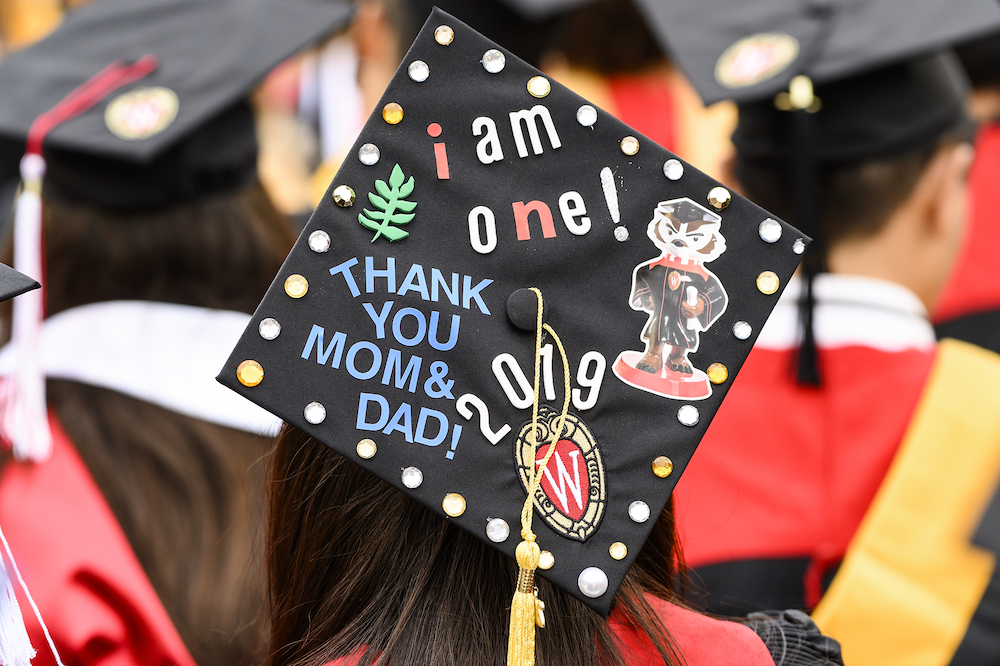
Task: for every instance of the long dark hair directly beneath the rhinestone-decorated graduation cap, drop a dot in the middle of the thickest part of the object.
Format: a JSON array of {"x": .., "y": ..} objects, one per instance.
[{"x": 354, "y": 564}]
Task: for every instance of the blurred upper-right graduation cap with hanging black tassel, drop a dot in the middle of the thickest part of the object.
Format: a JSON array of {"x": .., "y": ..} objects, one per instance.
[{"x": 825, "y": 83}]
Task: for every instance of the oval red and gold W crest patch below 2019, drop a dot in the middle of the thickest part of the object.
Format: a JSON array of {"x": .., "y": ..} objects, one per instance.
[{"x": 572, "y": 495}]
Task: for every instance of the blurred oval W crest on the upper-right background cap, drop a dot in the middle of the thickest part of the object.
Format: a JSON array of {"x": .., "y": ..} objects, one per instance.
[{"x": 756, "y": 58}]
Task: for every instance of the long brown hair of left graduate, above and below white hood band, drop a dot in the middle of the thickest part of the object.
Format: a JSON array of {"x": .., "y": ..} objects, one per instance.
[{"x": 188, "y": 494}]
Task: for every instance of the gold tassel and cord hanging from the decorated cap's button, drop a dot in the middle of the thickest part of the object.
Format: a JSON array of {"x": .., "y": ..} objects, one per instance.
[{"x": 526, "y": 609}]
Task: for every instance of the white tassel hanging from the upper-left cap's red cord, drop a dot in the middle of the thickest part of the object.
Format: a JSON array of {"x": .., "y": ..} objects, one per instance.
[{"x": 24, "y": 421}]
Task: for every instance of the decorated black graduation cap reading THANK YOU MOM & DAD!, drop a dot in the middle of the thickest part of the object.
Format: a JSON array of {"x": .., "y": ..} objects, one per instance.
[{"x": 401, "y": 330}]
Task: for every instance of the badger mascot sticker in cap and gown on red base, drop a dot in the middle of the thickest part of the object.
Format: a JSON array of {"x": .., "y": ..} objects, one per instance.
[{"x": 682, "y": 298}]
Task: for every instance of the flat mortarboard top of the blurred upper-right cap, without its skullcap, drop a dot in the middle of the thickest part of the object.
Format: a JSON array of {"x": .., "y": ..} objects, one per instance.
[{"x": 751, "y": 50}]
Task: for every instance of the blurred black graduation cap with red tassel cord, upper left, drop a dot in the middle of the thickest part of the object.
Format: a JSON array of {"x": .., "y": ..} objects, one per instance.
[{"x": 179, "y": 126}]
